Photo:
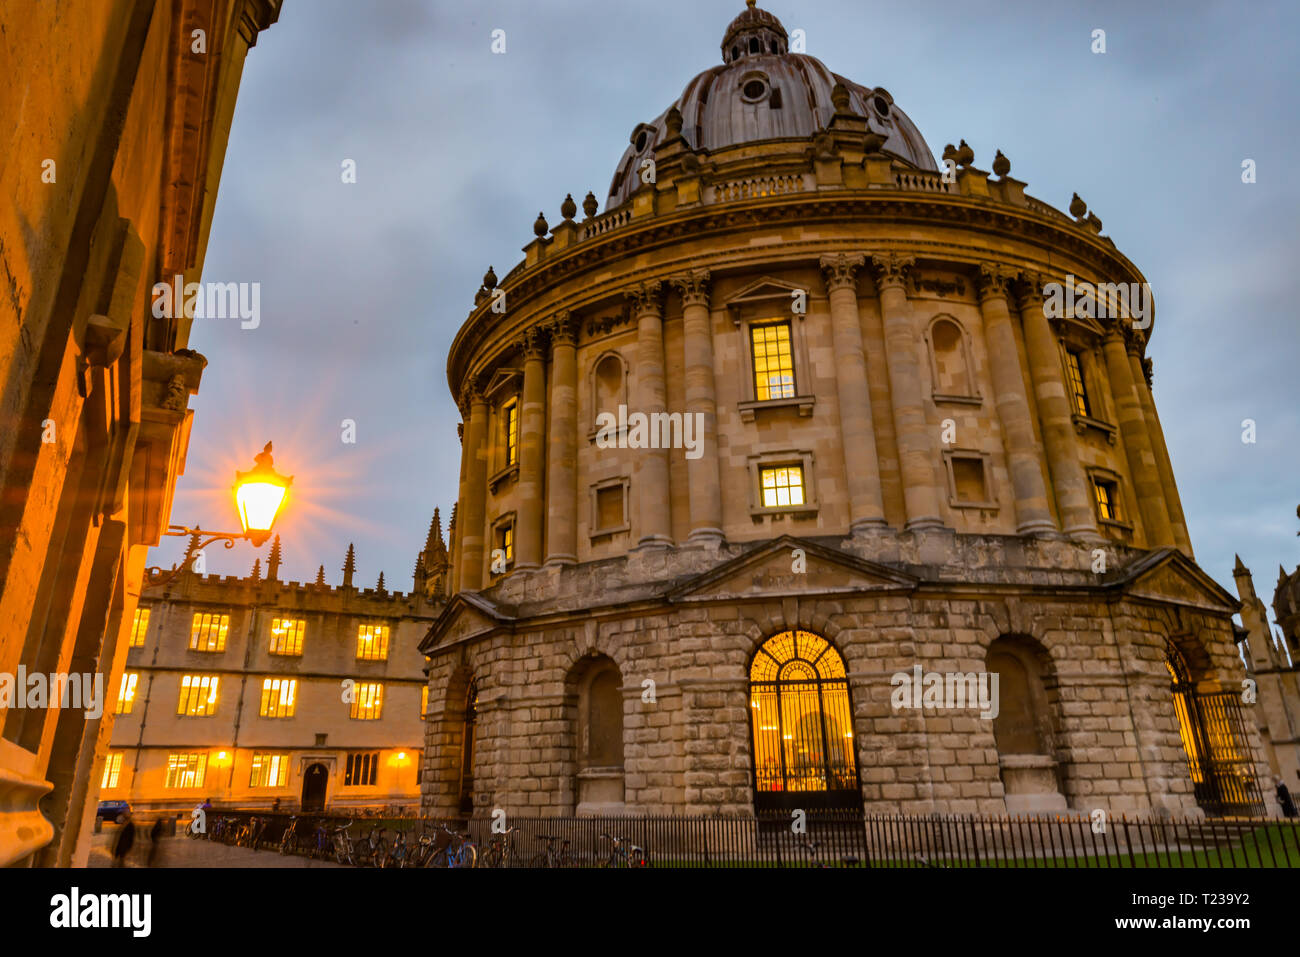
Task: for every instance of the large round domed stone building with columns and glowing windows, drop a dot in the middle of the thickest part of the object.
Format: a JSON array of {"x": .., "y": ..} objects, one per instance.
[{"x": 874, "y": 445}]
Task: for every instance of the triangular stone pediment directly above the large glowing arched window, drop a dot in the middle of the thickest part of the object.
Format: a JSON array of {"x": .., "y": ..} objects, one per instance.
[{"x": 791, "y": 566}]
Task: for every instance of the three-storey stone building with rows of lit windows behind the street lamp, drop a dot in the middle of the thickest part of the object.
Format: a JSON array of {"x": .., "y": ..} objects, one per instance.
[{"x": 254, "y": 691}]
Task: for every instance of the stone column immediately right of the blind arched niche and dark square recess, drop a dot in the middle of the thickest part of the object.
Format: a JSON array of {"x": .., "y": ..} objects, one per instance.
[{"x": 1033, "y": 513}]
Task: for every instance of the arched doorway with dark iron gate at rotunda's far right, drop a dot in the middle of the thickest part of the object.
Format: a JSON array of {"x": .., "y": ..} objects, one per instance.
[{"x": 1214, "y": 735}]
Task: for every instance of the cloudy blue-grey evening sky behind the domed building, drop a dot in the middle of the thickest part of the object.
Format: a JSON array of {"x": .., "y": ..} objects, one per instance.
[{"x": 457, "y": 149}]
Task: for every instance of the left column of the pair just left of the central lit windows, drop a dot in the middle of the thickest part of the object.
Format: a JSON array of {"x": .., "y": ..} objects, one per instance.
[{"x": 651, "y": 474}]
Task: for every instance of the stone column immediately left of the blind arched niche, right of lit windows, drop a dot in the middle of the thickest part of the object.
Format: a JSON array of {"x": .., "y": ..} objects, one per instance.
[{"x": 917, "y": 448}]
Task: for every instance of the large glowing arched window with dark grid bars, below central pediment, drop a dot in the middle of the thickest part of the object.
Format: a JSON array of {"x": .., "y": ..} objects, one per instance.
[{"x": 803, "y": 726}]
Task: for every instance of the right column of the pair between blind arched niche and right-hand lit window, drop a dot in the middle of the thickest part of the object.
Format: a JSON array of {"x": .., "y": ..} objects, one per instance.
[{"x": 1069, "y": 480}]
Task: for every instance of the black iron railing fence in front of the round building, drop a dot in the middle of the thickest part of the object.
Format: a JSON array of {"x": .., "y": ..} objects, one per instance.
[{"x": 839, "y": 841}]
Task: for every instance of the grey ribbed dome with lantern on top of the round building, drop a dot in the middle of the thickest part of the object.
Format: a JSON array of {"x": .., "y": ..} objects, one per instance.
[{"x": 762, "y": 93}]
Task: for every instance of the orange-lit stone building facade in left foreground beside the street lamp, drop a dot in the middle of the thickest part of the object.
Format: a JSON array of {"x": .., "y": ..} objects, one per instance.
[{"x": 115, "y": 125}]
